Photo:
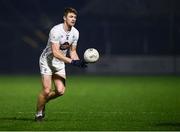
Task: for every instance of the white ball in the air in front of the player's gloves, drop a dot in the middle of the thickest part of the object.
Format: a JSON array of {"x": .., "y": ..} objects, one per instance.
[{"x": 91, "y": 55}]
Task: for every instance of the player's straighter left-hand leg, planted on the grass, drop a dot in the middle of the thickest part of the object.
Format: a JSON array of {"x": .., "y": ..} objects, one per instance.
[{"x": 46, "y": 87}]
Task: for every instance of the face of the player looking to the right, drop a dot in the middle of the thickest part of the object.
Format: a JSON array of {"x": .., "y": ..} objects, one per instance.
[{"x": 70, "y": 19}]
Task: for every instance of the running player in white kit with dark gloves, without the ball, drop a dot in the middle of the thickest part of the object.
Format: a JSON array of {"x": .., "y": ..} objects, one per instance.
[{"x": 62, "y": 37}]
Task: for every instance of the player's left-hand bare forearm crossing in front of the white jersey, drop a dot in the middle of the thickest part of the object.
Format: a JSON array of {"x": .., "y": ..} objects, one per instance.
[{"x": 58, "y": 54}]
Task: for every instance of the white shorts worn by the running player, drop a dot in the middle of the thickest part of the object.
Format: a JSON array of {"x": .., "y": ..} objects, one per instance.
[{"x": 47, "y": 68}]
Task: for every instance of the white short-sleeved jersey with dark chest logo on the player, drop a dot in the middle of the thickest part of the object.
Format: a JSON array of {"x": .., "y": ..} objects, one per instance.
[{"x": 59, "y": 36}]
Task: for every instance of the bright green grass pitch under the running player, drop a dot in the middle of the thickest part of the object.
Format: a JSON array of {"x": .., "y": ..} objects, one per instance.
[{"x": 94, "y": 103}]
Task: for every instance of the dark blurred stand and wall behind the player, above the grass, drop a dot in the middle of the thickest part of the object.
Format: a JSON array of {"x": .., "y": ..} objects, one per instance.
[{"x": 132, "y": 36}]
